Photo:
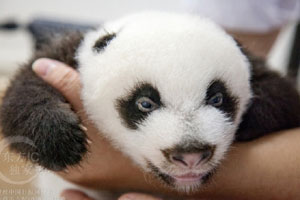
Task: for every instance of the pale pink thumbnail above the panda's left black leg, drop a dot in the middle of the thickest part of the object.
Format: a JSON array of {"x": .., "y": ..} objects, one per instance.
[{"x": 43, "y": 66}]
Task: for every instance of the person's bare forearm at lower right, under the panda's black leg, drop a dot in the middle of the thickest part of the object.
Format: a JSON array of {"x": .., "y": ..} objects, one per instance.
[{"x": 267, "y": 168}]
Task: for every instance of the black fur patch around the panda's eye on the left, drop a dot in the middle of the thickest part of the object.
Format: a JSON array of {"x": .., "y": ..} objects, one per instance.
[{"x": 128, "y": 109}]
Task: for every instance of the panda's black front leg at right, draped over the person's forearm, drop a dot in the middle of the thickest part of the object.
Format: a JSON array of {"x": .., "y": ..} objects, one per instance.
[{"x": 275, "y": 104}]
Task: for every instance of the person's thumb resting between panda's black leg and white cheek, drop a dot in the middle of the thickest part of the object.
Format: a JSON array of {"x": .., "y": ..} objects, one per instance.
[{"x": 62, "y": 77}]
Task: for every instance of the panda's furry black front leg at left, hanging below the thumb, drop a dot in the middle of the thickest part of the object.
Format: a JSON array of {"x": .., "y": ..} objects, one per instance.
[{"x": 39, "y": 123}]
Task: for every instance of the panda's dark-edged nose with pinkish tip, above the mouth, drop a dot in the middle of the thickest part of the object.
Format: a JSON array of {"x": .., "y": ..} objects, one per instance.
[{"x": 189, "y": 157}]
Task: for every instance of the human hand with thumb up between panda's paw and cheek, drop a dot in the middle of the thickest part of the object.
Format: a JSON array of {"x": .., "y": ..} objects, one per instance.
[{"x": 104, "y": 167}]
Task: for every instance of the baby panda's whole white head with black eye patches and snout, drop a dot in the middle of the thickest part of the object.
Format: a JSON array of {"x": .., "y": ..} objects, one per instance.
[{"x": 168, "y": 90}]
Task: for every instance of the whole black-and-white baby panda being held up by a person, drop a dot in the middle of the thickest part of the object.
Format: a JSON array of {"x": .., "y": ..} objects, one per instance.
[{"x": 170, "y": 91}]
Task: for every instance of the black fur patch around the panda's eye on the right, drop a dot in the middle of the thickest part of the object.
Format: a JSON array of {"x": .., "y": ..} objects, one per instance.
[{"x": 229, "y": 104}]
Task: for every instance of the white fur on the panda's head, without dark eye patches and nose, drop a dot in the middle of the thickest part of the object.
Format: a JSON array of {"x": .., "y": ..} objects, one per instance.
[{"x": 180, "y": 55}]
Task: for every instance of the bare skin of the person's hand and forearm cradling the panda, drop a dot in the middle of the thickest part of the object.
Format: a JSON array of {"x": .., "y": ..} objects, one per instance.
[{"x": 266, "y": 168}]
